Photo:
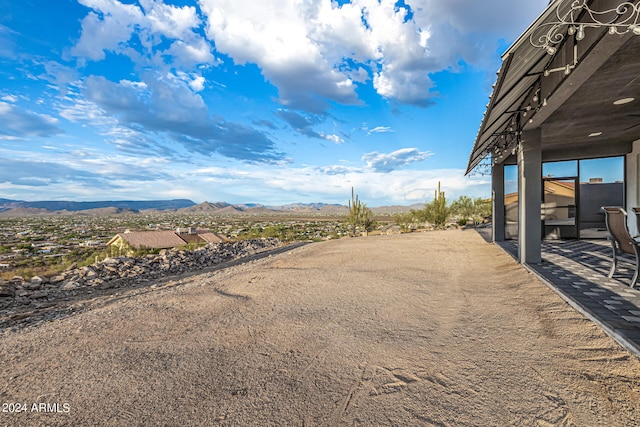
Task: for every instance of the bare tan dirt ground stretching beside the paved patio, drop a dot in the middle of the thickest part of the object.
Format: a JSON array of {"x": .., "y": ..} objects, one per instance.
[{"x": 430, "y": 329}]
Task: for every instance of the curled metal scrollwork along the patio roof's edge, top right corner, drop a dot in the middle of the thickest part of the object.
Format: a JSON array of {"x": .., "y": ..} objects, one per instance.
[{"x": 620, "y": 20}]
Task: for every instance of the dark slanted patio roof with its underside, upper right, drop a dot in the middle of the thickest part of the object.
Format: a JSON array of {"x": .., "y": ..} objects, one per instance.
[{"x": 533, "y": 91}]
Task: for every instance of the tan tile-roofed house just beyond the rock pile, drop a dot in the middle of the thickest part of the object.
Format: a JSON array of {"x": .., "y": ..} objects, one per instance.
[{"x": 129, "y": 241}]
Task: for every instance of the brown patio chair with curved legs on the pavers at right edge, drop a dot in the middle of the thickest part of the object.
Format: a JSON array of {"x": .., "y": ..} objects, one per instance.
[{"x": 621, "y": 240}]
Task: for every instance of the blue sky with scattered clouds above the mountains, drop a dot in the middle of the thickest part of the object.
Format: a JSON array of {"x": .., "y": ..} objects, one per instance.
[{"x": 268, "y": 102}]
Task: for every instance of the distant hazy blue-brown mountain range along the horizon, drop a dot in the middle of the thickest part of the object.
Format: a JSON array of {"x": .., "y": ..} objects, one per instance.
[{"x": 25, "y": 208}]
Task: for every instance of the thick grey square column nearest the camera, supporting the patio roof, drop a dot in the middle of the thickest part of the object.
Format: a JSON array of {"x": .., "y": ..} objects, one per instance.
[{"x": 530, "y": 197}]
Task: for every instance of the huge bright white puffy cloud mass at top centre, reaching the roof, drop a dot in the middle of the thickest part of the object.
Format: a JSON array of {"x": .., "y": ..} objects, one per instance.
[{"x": 333, "y": 45}]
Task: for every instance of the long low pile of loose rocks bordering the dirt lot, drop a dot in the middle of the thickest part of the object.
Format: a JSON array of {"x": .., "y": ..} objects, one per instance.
[{"x": 120, "y": 272}]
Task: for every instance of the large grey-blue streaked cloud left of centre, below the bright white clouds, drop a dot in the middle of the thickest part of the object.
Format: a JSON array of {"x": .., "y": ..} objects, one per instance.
[{"x": 165, "y": 108}]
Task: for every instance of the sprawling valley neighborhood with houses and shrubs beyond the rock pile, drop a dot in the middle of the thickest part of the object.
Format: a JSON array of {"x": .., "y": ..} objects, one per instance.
[{"x": 30, "y": 244}]
